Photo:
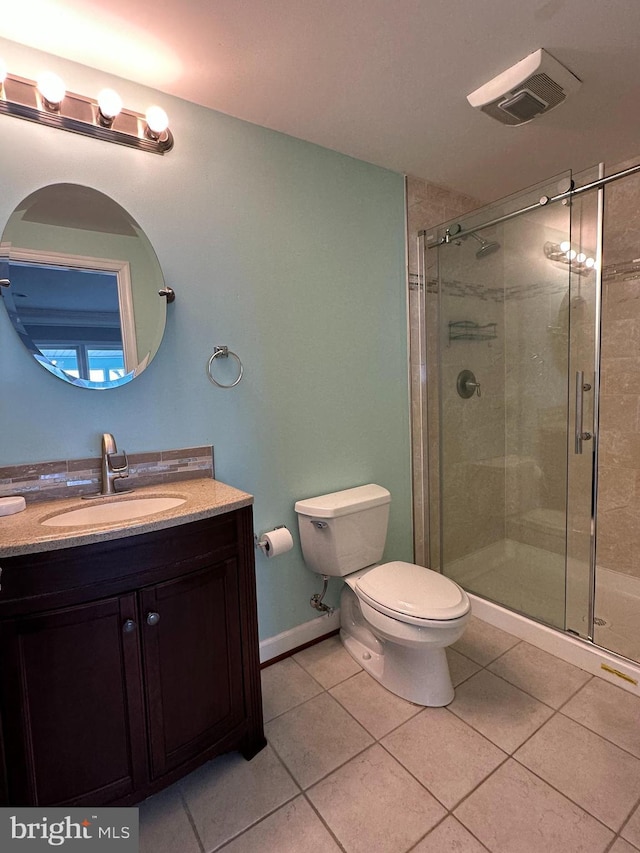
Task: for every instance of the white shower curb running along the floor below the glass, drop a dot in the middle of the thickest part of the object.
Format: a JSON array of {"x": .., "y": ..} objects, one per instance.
[{"x": 619, "y": 671}]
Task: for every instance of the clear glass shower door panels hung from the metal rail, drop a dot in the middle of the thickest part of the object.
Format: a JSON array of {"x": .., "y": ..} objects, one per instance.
[{"x": 506, "y": 304}]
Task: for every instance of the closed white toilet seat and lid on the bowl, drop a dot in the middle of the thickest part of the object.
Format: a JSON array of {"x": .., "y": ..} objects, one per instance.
[{"x": 411, "y": 593}]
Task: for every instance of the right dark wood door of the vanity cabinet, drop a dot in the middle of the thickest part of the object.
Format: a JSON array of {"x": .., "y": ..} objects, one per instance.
[{"x": 192, "y": 652}]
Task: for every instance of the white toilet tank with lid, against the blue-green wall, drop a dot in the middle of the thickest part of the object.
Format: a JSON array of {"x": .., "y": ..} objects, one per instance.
[{"x": 344, "y": 531}]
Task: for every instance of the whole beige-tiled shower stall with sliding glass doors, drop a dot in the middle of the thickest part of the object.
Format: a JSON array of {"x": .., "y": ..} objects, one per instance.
[{"x": 525, "y": 350}]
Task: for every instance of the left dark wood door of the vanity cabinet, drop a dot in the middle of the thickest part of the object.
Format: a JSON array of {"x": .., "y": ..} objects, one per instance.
[{"x": 72, "y": 706}]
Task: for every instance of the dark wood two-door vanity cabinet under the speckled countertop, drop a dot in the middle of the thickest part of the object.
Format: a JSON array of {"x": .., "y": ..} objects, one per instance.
[{"x": 124, "y": 664}]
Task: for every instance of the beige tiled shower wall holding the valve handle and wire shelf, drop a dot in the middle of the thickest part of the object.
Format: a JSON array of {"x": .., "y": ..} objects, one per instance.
[{"x": 472, "y": 434}]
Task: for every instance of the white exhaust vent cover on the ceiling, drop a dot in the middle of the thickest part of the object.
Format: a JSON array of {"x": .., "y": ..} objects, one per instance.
[{"x": 533, "y": 86}]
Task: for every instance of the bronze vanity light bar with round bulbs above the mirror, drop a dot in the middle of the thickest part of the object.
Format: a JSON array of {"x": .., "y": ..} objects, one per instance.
[{"x": 45, "y": 101}]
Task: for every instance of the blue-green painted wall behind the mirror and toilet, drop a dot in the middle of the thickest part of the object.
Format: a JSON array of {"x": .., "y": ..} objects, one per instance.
[{"x": 290, "y": 254}]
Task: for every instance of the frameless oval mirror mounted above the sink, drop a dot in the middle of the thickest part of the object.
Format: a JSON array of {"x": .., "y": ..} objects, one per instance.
[{"x": 81, "y": 286}]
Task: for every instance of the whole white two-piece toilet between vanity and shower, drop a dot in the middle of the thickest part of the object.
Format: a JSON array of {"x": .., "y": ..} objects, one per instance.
[{"x": 396, "y": 619}]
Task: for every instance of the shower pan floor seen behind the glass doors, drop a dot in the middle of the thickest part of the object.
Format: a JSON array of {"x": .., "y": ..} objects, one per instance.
[{"x": 531, "y": 581}]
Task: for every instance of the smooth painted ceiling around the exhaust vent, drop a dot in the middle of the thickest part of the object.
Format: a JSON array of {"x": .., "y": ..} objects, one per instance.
[{"x": 381, "y": 80}]
